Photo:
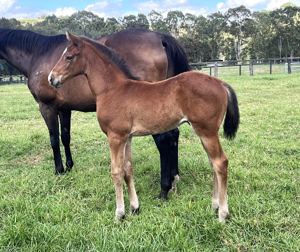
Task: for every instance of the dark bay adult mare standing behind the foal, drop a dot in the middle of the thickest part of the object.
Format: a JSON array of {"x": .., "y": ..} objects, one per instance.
[{"x": 151, "y": 56}]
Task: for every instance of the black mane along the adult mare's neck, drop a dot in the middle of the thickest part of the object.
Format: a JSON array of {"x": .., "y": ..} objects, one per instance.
[{"x": 29, "y": 41}]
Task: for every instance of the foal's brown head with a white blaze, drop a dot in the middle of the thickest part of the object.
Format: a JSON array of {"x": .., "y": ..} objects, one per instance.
[{"x": 70, "y": 64}]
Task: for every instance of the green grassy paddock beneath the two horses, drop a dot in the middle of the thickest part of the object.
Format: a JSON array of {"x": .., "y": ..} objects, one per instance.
[{"x": 43, "y": 212}]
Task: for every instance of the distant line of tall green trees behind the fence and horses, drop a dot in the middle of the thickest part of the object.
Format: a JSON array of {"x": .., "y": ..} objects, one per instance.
[{"x": 235, "y": 34}]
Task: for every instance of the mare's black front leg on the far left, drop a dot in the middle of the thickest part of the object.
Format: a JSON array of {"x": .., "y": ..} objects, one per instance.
[{"x": 50, "y": 116}]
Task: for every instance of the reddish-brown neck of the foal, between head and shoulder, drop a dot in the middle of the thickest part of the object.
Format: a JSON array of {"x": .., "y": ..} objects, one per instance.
[{"x": 102, "y": 73}]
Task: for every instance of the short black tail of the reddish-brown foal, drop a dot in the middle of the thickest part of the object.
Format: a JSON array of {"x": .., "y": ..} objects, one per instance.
[{"x": 232, "y": 118}]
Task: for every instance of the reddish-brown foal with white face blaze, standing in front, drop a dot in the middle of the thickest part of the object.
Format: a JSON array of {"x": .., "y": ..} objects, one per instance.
[{"x": 127, "y": 108}]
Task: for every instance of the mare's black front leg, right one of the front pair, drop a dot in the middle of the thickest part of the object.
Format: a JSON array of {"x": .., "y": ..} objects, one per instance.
[{"x": 65, "y": 123}]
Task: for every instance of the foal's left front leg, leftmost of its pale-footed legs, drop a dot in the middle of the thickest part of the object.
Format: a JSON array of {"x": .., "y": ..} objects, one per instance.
[{"x": 117, "y": 150}]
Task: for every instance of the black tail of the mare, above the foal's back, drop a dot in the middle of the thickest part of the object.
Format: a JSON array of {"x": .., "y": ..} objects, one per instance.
[{"x": 177, "y": 58}]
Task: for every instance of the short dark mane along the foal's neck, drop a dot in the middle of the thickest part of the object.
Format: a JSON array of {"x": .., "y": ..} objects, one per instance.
[{"x": 116, "y": 58}]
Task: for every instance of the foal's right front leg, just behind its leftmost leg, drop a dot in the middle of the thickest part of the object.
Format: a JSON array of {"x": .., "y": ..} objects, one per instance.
[{"x": 134, "y": 202}]
